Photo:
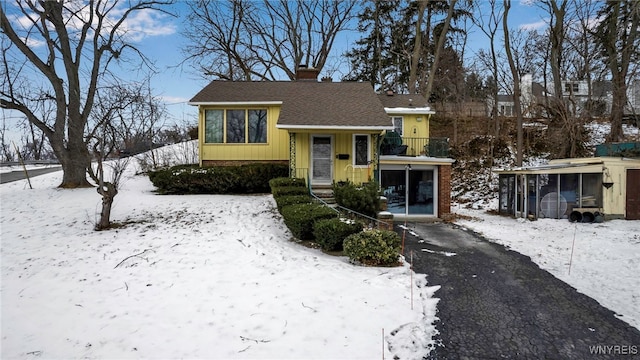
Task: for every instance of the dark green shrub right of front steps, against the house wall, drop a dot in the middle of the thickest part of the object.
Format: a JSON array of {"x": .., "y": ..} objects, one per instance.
[{"x": 364, "y": 199}]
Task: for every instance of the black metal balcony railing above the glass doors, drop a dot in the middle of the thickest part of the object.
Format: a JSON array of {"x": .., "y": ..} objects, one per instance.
[{"x": 409, "y": 146}]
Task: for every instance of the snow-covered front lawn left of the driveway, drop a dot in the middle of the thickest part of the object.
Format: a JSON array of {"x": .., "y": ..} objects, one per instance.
[{"x": 190, "y": 277}]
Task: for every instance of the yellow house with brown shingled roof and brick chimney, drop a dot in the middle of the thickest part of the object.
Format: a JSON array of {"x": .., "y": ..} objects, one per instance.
[{"x": 328, "y": 132}]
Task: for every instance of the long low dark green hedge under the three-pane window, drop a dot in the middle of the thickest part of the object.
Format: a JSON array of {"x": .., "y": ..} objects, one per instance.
[{"x": 192, "y": 179}]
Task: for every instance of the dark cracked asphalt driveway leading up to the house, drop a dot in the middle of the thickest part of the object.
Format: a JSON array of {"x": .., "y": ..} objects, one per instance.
[{"x": 497, "y": 304}]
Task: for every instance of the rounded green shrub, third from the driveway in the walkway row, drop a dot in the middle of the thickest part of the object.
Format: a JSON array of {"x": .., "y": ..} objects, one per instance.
[{"x": 300, "y": 218}]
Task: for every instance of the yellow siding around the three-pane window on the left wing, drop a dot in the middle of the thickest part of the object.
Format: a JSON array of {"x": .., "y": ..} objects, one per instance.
[{"x": 276, "y": 148}]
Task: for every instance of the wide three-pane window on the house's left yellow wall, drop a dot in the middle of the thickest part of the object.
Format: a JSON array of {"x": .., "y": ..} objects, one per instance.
[{"x": 235, "y": 126}]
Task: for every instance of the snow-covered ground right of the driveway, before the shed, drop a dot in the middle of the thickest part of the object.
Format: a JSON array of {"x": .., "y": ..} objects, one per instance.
[{"x": 601, "y": 261}]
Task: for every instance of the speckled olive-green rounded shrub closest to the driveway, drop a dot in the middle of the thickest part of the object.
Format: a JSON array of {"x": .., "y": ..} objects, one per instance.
[{"x": 373, "y": 247}]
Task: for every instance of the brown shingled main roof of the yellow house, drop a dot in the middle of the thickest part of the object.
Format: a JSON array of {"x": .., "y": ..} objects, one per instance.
[{"x": 305, "y": 103}]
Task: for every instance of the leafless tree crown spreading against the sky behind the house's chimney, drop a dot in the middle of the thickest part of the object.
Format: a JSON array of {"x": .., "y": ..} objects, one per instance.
[{"x": 248, "y": 40}]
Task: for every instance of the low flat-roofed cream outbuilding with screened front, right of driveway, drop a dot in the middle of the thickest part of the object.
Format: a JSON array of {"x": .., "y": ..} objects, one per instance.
[{"x": 573, "y": 188}]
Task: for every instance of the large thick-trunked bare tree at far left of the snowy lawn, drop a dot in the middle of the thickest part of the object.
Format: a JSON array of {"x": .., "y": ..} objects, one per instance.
[{"x": 80, "y": 40}]
